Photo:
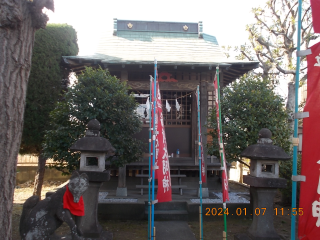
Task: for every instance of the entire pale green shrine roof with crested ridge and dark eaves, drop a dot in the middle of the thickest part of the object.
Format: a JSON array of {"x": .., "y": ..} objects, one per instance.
[{"x": 171, "y": 43}]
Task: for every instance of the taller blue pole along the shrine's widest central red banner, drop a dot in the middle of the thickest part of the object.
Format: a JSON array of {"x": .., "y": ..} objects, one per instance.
[{"x": 153, "y": 144}]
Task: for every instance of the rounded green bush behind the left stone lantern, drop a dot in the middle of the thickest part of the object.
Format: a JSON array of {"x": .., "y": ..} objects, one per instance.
[{"x": 96, "y": 95}]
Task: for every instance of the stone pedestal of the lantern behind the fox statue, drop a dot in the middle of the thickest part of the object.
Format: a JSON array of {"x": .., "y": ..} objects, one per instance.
[{"x": 89, "y": 224}]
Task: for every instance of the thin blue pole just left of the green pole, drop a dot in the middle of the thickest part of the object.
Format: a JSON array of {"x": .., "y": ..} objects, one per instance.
[{"x": 200, "y": 164}]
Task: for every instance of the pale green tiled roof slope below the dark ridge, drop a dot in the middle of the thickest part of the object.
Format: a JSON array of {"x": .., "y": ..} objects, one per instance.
[{"x": 144, "y": 47}]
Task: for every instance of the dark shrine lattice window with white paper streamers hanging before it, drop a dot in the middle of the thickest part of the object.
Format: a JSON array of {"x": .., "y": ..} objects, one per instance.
[{"x": 172, "y": 117}]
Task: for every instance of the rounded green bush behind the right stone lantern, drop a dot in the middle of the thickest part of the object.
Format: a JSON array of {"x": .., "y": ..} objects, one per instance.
[{"x": 247, "y": 106}]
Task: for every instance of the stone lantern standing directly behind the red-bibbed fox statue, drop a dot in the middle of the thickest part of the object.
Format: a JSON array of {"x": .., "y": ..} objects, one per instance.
[{"x": 94, "y": 151}]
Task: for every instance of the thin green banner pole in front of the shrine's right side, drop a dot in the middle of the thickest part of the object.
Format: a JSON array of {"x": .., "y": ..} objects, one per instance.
[{"x": 221, "y": 151}]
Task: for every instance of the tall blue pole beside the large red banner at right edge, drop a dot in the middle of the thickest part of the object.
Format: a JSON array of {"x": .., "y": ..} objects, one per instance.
[{"x": 295, "y": 135}]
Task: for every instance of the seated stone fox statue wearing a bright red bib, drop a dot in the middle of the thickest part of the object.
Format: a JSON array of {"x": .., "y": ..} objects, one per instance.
[{"x": 40, "y": 219}]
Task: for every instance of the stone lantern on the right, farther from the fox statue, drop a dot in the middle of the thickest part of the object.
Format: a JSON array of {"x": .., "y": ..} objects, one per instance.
[{"x": 264, "y": 181}]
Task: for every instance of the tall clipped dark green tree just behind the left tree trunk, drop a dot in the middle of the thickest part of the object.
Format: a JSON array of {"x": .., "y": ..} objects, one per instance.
[{"x": 46, "y": 82}]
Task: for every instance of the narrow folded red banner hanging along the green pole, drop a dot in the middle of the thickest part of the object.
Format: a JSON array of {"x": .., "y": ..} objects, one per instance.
[{"x": 221, "y": 146}]
